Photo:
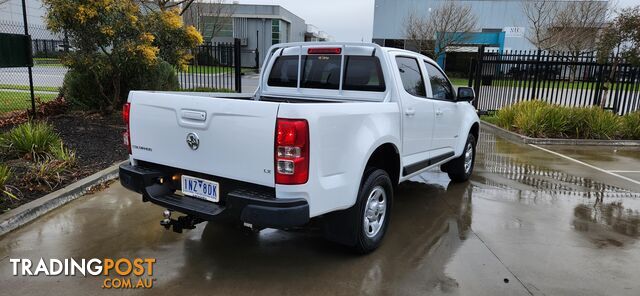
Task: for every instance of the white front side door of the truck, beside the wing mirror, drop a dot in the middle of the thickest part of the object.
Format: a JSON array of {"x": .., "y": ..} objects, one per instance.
[{"x": 447, "y": 122}]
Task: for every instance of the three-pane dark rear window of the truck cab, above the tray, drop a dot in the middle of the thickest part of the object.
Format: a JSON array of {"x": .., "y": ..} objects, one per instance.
[{"x": 361, "y": 73}]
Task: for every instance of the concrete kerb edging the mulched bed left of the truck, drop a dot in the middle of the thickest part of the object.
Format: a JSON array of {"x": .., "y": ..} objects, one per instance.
[{"x": 30, "y": 211}]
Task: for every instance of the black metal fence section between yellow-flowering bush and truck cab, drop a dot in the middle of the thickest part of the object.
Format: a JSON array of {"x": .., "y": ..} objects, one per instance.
[{"x": 215, "y": 67}]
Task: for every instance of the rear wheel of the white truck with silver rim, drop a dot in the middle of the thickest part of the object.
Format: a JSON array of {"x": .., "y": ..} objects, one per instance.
[{"x": 363, "y": 226}]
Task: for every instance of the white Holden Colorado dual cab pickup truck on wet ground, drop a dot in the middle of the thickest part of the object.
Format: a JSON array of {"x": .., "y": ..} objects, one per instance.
[{"x": 332, "y": 129}]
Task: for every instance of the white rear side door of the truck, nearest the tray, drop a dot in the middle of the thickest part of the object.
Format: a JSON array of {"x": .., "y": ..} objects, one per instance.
[{"x": 417, "y": 112}]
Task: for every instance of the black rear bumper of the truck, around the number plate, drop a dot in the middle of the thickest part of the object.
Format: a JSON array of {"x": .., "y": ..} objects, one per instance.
[{"x": 247, "y": 205}]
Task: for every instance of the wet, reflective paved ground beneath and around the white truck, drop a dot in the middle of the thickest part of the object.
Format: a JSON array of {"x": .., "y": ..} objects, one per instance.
[{"x": 529, "y": 223}]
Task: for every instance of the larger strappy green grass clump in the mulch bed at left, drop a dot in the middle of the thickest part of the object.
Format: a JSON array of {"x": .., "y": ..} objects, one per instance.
[{"x": 31, "y": 140}]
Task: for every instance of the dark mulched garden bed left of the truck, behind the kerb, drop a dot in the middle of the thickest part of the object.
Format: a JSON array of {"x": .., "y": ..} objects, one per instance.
[{"x": 94, "y": 140}]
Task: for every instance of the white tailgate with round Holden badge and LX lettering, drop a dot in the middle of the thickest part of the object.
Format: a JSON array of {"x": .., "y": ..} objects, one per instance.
[{"x": 236, "y": 137}]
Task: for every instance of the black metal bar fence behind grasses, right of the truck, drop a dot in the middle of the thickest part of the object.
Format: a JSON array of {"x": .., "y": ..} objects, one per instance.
[{"x": 564, "y": 78}]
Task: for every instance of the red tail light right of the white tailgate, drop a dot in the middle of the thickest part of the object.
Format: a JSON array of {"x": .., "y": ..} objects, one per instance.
[{"x": 292, "y": 151}]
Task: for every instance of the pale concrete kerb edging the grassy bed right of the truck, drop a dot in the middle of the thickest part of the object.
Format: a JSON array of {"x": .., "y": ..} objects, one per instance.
[{"x": 544, "y": 141}]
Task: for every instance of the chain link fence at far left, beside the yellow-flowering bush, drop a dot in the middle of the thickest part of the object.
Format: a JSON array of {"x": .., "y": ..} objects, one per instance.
[{"x": 47, "y": 71}]
